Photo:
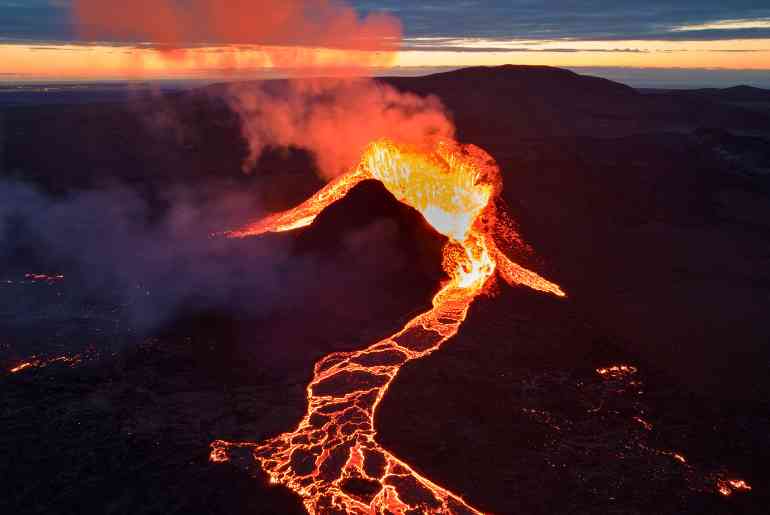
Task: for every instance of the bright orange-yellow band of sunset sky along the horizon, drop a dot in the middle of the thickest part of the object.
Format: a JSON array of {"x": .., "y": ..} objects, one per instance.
[{"x": 103, "y": 62}]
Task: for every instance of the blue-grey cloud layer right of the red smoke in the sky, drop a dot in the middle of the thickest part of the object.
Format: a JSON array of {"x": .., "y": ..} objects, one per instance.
[{"x": 566, "y": 19}]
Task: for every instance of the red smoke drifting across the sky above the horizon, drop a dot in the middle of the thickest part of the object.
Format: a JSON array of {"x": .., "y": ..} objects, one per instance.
[{"x": 287, "y": 33}]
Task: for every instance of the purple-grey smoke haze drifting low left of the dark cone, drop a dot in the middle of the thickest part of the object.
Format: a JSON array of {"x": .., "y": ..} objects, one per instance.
[{"x": 115, "y": 247}]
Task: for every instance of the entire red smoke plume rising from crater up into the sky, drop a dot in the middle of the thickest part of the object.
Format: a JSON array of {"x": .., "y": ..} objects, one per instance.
[{"x": 333, "y": 118}]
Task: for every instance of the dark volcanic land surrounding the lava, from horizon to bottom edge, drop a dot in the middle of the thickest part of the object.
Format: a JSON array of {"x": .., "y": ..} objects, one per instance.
[{"x": 651, "y": 209}]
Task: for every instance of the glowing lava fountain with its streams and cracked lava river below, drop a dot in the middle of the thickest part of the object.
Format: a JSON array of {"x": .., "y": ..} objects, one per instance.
[{"x": 332, "y": 459}]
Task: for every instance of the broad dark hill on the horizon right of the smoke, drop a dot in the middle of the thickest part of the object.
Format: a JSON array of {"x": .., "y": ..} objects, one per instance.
[{"x": 532, "y": 102}]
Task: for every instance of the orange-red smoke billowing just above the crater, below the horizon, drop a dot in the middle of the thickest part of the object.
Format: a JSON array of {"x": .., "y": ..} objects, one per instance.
[{"x": 335, "y": 119}]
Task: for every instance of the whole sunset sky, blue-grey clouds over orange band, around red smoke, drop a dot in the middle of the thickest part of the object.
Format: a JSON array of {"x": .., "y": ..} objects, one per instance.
[{"x": 45, "y": 39}]
